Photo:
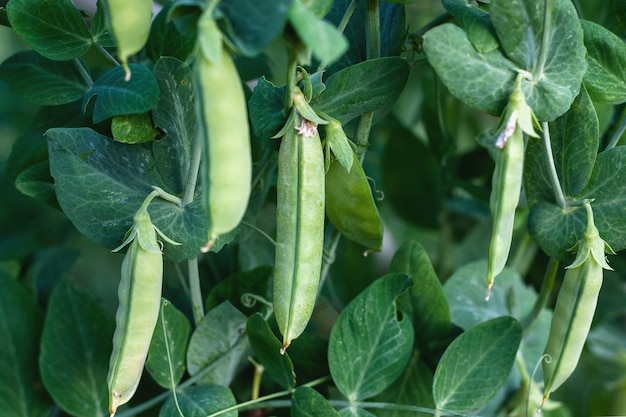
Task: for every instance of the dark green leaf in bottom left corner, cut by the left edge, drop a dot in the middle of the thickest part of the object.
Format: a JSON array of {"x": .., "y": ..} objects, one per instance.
[{"x": 21, "y": 393}]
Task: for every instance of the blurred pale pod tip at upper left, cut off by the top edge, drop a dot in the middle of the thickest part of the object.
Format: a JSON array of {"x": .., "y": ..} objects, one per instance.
[{"x": 129, "y": 22}]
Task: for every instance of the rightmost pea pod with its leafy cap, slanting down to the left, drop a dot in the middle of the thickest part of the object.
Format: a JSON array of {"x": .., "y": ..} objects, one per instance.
[{"x": 575, "y": 307}]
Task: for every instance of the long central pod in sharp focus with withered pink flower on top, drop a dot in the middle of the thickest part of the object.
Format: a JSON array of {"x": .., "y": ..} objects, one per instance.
[{"x": 299, "y": 230}]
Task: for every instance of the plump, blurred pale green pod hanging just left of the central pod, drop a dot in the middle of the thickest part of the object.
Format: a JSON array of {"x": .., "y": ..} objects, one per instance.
[{"x": 227, "y": 166}]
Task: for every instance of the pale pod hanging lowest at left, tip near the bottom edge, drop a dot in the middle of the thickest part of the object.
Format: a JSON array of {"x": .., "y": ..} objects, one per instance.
[{"x": 139, "y": 295}]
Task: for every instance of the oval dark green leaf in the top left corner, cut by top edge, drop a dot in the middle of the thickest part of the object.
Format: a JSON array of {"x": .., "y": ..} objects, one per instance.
[{"x": 54, "y": 28}]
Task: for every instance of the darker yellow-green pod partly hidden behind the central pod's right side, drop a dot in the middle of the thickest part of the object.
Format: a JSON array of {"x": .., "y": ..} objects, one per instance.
[{"x": 350, "y": 205}]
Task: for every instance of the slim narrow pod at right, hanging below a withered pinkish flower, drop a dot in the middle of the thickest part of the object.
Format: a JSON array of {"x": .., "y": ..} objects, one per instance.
[{"x": 506, "y": 188}]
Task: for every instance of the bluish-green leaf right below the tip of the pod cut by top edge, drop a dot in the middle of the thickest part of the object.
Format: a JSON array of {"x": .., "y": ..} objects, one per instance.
[{"x": 113, "y": 96}]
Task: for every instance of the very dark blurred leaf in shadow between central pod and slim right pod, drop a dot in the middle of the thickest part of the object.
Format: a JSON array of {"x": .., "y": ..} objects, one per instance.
[{"x": 405, "y": 158}]
